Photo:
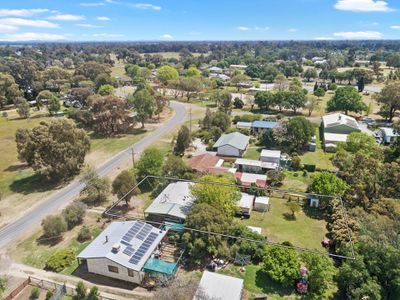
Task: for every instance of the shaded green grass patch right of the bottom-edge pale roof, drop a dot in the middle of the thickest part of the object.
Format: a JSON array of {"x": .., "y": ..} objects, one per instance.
[{"x": 256, "y": 282}]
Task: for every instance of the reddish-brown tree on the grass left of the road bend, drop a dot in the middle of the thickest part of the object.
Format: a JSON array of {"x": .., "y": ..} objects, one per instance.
[{"x": 109, "y": 116}]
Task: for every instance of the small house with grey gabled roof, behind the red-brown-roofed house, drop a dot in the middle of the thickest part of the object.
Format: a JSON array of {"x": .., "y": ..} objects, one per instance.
[{"x": 232, "y": 144}]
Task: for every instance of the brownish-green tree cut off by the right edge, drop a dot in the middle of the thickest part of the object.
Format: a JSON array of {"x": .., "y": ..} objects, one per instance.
[{"x": 389, "y": 98}]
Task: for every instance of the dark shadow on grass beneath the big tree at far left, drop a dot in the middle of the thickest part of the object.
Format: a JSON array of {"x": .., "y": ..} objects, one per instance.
[{"x": 32, "y": 184}]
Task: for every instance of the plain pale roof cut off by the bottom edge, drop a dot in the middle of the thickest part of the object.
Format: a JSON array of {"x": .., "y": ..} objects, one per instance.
[{"x": 219, "y": 287}]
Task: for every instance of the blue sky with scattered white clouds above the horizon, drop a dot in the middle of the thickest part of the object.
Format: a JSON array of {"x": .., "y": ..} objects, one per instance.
[{"x": 184, "y": 20}]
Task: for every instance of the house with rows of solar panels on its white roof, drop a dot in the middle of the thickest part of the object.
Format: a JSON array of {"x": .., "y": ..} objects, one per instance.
[{"x": 122, "y": 250}]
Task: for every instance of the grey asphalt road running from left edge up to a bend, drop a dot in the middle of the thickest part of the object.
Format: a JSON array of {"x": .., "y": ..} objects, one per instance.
[{"x": 30, "y": 220}]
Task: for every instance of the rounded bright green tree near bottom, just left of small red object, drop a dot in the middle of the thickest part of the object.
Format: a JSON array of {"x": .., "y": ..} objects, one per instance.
[{"x": 281, "y": 265}]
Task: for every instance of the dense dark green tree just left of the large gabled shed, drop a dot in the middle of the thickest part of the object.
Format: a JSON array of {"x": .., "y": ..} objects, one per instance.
[{"x": 299, "y": 132}]
